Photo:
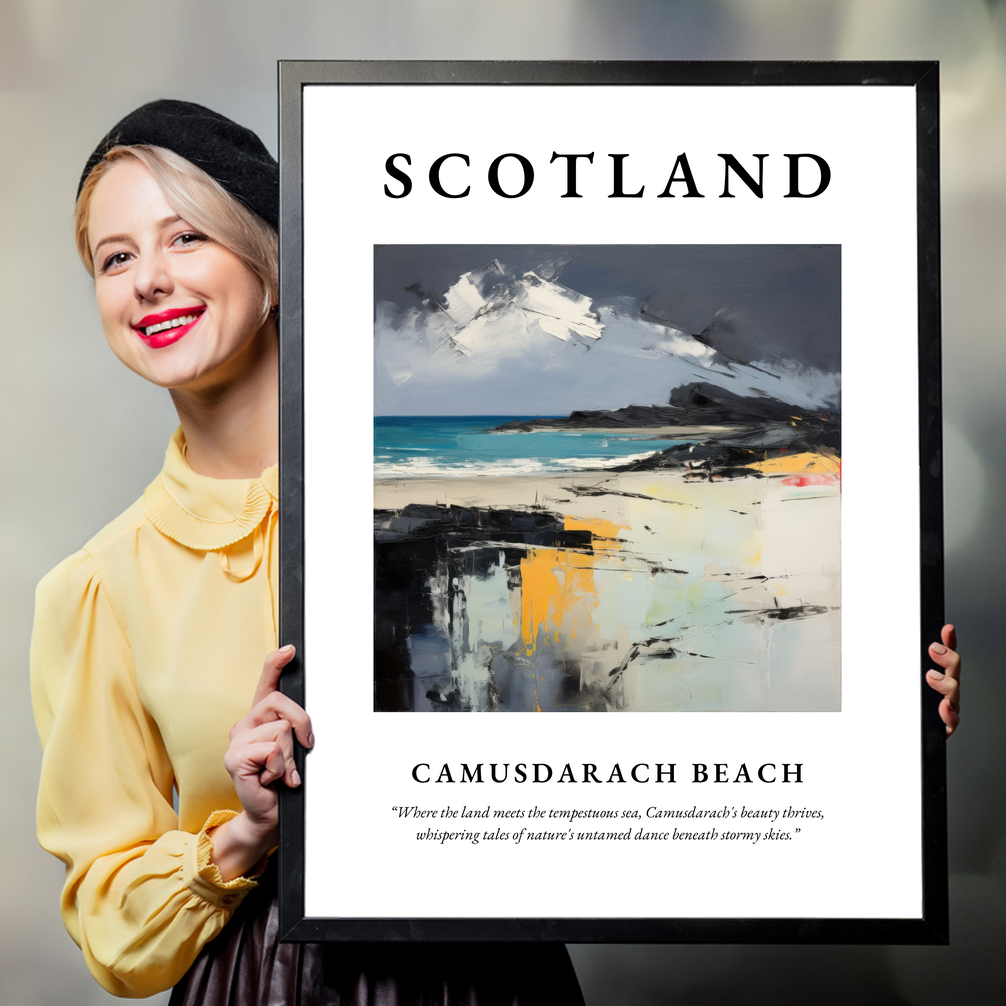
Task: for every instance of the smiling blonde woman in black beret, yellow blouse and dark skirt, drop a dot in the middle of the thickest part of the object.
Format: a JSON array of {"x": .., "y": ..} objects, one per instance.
[{"x": 149, "y": 642}]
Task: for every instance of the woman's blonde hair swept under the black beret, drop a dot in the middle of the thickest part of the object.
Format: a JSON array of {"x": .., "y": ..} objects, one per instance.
[{"x": 200, "y": 201}]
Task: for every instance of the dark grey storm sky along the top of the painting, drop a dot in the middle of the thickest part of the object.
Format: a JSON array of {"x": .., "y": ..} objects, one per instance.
[{"x": 768, "y": 300}]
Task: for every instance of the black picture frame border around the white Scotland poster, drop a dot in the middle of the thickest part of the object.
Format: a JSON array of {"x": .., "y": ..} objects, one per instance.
[{"x": 932, "y": 924}]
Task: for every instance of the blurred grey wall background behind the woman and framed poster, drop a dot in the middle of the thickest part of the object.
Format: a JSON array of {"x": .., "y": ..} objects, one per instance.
[{"x": 82, "y": 437}]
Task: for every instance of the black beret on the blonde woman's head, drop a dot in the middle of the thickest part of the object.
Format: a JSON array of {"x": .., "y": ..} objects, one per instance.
[{"x": 229, "y": 153}]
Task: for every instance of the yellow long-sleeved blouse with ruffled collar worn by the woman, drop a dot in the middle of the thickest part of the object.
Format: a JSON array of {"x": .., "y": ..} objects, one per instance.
[{"x": 147, "y": 647}]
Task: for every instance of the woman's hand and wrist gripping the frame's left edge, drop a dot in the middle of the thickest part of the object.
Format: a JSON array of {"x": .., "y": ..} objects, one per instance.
[{"x": 261, "y": 753}]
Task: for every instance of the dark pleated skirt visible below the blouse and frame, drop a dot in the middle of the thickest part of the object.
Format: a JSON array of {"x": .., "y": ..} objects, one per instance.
[{"x": 248, "y": 966}]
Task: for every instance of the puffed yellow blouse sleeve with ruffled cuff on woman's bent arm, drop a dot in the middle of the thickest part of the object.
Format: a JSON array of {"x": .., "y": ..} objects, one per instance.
[{"x": 141, "y": 898}]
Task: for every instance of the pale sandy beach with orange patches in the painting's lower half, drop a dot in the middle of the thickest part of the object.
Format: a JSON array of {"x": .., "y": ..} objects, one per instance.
[{"x": 682, "y": 594}]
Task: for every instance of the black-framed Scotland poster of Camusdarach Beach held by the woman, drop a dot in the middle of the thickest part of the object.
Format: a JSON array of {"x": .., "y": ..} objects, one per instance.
[{"x": 612, "y": 536}]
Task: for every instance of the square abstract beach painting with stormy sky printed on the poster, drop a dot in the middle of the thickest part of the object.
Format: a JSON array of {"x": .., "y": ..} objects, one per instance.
[{"x": 607, "y": 478}]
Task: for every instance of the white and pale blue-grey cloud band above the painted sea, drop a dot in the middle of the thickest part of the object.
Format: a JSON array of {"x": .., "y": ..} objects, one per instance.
[{"x": 498, "y": 344}]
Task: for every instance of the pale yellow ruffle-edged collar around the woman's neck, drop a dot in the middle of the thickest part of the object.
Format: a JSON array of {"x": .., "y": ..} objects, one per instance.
[{"x": 204, "y": 514}]
